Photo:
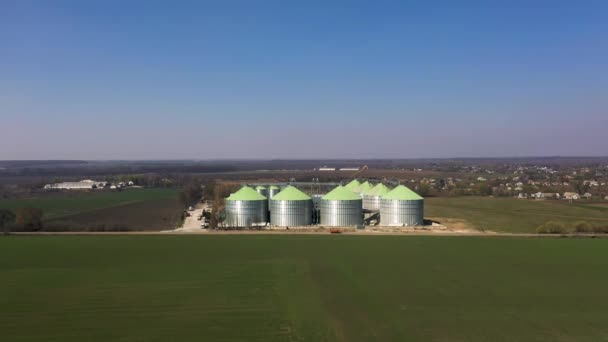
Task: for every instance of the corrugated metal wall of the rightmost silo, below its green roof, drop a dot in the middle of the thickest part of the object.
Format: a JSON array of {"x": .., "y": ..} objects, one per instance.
[{"x": 401, "y": 212}]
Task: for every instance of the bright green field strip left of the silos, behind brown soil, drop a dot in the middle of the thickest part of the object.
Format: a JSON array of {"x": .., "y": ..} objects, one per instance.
[{"x": 63, "y": 204}]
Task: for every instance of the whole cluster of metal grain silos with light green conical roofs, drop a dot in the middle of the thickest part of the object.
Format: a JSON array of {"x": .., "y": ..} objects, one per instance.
[{"x": 344, "y": 206}]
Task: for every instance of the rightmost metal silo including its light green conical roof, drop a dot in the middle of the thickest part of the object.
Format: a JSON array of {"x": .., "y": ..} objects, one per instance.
[{"x": 401, "y": 207}]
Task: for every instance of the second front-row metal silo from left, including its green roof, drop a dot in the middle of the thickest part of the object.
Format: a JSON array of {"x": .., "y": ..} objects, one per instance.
[{"x": 291, "y": 207}]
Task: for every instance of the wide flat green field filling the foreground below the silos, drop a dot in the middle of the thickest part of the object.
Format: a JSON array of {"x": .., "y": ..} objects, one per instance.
[{"x": 302, "y": 288}]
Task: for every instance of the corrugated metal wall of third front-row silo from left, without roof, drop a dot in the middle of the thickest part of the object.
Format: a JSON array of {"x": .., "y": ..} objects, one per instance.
[{"x": 341, "y": 213}]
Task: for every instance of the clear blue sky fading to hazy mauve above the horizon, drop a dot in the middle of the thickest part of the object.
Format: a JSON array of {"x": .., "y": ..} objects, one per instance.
[{"x": 302, "y": 79}]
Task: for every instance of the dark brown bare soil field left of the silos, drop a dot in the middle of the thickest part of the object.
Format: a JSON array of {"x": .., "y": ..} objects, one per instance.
[{"x": 149, "y": 215}]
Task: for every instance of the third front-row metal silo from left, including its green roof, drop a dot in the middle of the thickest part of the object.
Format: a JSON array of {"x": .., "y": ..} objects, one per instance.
[{"x": 341, "y": 207}]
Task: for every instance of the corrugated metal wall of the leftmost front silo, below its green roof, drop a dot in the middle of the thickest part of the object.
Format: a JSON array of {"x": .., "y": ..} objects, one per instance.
[{"x": 246, "y": 213}]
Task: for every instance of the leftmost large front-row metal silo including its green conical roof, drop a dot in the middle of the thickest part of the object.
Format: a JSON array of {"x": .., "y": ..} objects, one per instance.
[{"x": 246, "y": 208}]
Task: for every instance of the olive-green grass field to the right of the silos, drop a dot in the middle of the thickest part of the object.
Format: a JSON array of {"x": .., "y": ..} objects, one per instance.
[{"x": 511, "y": 214}]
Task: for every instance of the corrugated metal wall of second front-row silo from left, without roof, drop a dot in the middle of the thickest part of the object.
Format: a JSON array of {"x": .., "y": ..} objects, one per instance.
[{"x": 290, "y": 213}]
